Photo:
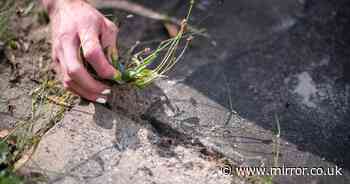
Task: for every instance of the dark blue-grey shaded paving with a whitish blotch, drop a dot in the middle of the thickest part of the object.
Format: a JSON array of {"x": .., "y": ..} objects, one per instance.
[{"x": 299, "y": 71}]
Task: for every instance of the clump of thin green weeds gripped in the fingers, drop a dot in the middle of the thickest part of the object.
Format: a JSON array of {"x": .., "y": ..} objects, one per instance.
[{"x": 137, "y": 71}]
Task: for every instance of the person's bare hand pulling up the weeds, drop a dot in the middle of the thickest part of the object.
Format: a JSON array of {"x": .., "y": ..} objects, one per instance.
[{"x": 75, "y": 23}]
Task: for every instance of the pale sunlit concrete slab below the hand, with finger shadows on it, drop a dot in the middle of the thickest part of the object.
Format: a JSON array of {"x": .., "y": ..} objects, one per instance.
[{"x": 95, "y": 145}]
